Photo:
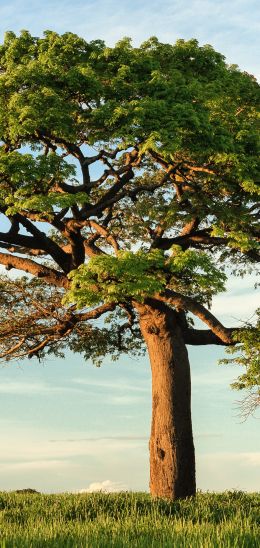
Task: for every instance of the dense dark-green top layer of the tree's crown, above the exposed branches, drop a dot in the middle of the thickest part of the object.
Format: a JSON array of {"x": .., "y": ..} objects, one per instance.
[{"x": 164, "y": 95}]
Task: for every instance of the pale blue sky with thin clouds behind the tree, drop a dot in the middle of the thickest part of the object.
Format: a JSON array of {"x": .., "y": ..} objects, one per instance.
[{"x": 66, "y": 425}]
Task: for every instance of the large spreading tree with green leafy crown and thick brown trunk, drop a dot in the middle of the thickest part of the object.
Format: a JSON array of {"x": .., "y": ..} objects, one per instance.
[{"x": 129, "y": 180}]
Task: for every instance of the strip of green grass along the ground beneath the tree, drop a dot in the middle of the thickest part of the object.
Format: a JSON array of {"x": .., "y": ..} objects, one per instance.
[{"x": 229, "y": 520}]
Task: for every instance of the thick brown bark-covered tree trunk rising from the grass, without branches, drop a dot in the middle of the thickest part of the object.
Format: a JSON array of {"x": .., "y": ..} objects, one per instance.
[{"x": 172, "y": 459}]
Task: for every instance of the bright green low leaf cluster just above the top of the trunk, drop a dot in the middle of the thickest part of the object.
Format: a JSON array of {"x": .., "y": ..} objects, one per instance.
[{"x": 138, "y": 275}]
